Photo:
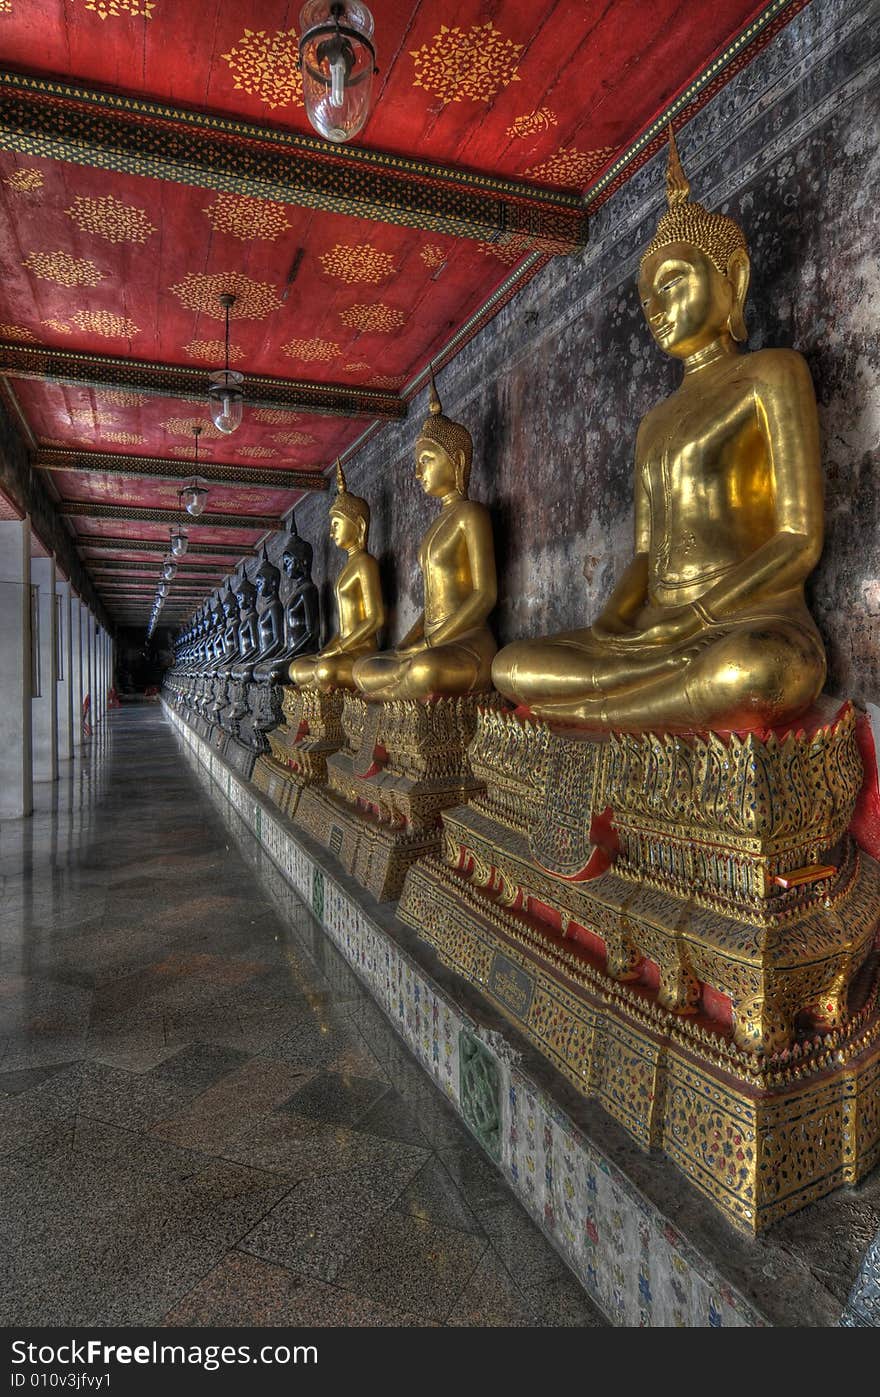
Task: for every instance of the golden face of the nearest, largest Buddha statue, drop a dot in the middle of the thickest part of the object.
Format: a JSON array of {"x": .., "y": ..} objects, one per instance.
[{"x": 685, "y": 298}]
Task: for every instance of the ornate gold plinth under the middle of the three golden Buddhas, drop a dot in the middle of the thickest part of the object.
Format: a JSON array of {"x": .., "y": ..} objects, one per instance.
[{"x": 402, "y": 766}]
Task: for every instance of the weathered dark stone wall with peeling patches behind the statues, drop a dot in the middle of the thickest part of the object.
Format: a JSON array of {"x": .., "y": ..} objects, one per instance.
[{"x": 555, "y": 386}]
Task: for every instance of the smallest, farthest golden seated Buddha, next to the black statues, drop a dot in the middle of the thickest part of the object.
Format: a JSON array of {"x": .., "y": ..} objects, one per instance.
[{"x": 360, "y": 607}]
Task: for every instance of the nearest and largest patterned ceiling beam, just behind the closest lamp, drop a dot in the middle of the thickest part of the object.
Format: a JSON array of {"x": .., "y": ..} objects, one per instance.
[{"x": 133, "y": 136}]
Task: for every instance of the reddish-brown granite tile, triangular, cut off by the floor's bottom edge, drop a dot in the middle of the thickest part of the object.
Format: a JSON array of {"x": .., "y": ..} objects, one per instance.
[{"x": 244, "y": 1292}]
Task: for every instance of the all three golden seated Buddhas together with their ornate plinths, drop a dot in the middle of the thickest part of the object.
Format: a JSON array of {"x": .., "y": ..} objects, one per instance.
[{"x": 636, "y": 838}]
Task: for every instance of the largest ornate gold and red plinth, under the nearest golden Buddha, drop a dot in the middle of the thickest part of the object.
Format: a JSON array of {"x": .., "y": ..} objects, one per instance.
[{"x": 685, "y": 927}]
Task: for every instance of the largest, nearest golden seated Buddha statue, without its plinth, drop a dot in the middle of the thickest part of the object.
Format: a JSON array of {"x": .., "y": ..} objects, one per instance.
[{"x": 709, "y": 627}]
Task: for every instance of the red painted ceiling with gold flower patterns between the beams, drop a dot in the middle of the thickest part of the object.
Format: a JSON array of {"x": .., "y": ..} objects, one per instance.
[{"x": 550, "y": 93}]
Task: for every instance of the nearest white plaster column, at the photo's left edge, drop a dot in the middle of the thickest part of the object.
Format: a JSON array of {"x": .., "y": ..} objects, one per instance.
[{"x": 16, "y": 772}]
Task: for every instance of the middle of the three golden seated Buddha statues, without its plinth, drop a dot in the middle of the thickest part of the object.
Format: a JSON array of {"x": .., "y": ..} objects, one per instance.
[{"x": 449, "y": 650}]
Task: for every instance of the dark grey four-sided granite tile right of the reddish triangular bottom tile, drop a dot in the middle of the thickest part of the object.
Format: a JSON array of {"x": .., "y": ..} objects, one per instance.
[{"x": 411, "y": 1265}]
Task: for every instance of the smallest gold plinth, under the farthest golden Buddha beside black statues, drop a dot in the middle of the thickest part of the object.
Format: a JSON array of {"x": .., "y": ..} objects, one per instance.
[{"x": 311, "y": 731}]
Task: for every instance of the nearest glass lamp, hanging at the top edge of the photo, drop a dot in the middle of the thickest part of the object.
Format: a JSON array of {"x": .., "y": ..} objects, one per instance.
[{"x": 337, "y": 59}]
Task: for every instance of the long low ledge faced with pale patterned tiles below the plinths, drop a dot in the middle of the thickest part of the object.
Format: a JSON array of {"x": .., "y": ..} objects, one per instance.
[{"x": 645, "y": 1265}]
